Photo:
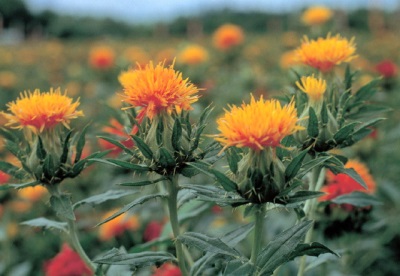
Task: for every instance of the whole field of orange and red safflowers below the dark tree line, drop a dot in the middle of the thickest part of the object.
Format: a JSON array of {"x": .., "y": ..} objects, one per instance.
[{"x": 223, "y": 153}]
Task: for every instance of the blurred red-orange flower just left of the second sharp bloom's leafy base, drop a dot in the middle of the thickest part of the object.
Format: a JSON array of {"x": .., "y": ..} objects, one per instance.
[{"x": 117, "y": 130}]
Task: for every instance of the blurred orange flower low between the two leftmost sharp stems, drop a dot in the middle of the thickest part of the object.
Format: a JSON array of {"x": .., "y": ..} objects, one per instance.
[{"x": 118, "y": 225}]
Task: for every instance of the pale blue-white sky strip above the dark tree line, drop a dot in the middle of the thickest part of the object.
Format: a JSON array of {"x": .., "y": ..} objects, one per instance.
[{"x": 160, "y": 10}]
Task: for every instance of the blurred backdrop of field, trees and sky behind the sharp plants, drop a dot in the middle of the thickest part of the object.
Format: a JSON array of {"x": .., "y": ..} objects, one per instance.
[{"x": 83, "y": 45}]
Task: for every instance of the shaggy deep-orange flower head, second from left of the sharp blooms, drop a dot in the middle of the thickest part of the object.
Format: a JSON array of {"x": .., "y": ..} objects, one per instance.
[{"x": 157, "y": 89}]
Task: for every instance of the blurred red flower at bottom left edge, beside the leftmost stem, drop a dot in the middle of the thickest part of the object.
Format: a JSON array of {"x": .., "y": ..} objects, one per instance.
[{"x": 67, "y": 263}]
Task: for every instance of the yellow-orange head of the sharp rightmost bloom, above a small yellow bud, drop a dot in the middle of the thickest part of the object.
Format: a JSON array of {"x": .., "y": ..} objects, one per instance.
[{"x": 324, "y": 53}]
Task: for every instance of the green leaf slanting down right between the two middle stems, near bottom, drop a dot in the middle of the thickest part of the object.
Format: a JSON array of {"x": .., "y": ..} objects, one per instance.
[{"x": 208, "y": 244}]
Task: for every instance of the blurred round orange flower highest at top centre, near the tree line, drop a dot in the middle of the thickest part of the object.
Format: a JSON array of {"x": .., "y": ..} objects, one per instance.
[{"x": 228, "y": 36}]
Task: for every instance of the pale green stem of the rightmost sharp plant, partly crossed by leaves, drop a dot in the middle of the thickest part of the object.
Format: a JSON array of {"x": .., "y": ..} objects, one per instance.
[{"x": 316, "y": 182}]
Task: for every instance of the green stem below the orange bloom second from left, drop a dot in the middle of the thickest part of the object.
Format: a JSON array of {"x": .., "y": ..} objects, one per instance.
[{"x": 173, "y": 216}]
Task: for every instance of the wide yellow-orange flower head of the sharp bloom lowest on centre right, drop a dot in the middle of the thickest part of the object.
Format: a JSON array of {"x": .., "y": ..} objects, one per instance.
[{"x": 257, "y": 125}]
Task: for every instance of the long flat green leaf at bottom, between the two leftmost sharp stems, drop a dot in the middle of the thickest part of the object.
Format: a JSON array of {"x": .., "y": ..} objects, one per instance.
[{"x": 137, "y": 260}]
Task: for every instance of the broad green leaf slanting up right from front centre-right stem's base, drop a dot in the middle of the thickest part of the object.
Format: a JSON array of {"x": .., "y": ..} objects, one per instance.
[{"x": 279, "y": 250}]
